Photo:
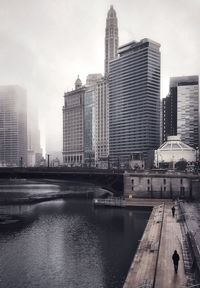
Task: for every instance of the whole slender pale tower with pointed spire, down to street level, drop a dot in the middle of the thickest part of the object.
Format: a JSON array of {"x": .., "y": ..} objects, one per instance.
[{"x": 102, "y": 88}]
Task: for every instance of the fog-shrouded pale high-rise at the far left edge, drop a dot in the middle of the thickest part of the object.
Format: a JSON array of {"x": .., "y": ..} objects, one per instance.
[{"x": 13, "y": 126}]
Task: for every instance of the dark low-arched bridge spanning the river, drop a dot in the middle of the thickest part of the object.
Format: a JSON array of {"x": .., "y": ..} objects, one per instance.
[{"x": 111, "y": 180}]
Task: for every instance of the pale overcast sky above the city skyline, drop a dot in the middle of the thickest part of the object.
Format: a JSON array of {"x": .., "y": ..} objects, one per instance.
[{"x": 45, "y": 44}]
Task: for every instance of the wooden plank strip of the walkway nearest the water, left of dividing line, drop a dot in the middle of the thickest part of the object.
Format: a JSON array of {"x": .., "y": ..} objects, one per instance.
[{"x": 143, "y": 268}]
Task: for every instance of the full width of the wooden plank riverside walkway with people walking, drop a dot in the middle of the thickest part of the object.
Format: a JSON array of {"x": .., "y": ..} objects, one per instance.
[{"x": 152, "y": 265}]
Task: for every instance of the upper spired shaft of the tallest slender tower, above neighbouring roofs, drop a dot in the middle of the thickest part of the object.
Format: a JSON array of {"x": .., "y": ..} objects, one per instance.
[{"x": 111, "y": 38}]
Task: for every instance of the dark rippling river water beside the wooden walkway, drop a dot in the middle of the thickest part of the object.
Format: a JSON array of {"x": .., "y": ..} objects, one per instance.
[{"x": 67, "y": 243}]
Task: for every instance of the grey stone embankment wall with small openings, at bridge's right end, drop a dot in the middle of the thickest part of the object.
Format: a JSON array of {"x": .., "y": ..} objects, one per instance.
[{"x": 165, "y": 185}]
